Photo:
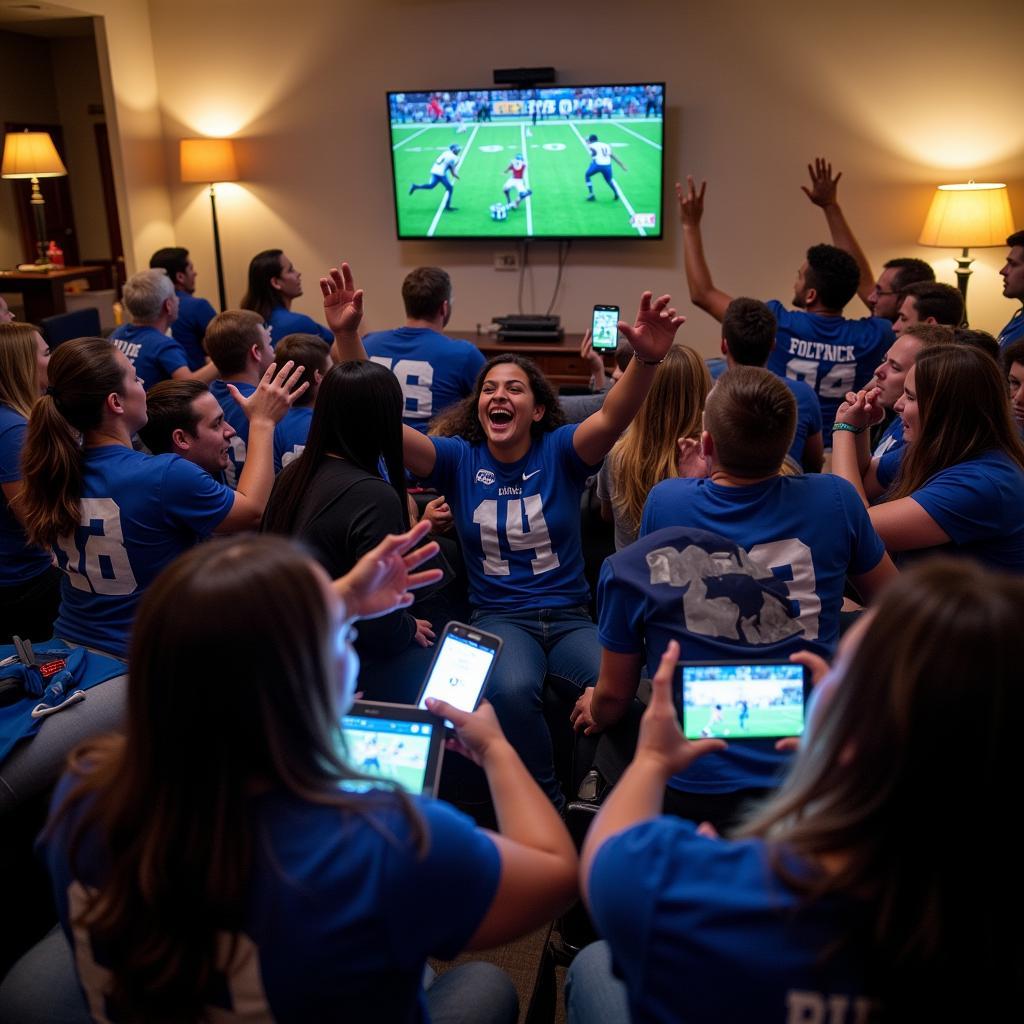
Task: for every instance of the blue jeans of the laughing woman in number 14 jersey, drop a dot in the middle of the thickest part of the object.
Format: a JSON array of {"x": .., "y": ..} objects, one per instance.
[{"x": 559, "y": 644}]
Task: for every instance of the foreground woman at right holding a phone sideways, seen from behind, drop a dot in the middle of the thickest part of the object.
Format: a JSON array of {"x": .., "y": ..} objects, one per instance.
[{"x": 846, "y": 898}]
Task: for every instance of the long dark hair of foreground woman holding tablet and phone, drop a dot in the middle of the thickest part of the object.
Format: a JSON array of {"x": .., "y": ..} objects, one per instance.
[{"x": 207, "y": 722}]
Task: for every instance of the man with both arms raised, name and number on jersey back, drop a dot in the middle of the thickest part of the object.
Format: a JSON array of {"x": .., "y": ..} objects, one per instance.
[{"x": 816, "y": 344}]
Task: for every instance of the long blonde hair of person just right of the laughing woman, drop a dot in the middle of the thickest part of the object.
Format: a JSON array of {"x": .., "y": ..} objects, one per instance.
[{"x": 648, "y": 453}]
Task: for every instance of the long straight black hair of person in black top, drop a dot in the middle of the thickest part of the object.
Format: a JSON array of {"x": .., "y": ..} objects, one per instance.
[{"x": 358, "y": 416}]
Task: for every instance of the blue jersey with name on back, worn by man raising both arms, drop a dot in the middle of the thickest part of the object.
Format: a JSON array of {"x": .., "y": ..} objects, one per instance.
[{"x": 833, "y": 355}]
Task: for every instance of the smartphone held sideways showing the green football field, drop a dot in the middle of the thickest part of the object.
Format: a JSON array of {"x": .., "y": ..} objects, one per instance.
[{"x": 743, "y": 700}]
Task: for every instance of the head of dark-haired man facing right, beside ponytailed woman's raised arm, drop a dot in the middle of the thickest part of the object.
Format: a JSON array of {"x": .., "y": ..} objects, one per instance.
[{"x": 185, "y": 419}]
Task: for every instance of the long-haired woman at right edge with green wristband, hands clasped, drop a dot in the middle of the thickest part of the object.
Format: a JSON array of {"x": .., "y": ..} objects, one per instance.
[{"x": 958, "y": 484}]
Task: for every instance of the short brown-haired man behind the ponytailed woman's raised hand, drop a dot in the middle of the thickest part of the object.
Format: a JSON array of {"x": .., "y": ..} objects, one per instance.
[{"x": 240, "y": 347}]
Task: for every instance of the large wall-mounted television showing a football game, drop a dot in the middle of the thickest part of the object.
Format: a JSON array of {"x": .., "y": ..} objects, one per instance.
[{"x": 553, "y": 162}]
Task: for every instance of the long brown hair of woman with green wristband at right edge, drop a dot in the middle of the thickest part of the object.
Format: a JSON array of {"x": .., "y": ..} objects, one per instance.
[{"x": 963, "y": 413}]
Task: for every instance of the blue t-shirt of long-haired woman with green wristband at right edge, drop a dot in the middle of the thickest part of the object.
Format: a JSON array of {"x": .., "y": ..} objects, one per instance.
[{"x": 978, "y": 503}]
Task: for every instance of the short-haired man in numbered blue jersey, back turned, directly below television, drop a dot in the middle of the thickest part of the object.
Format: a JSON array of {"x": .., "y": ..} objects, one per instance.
[{"x": 435, "y": 371}]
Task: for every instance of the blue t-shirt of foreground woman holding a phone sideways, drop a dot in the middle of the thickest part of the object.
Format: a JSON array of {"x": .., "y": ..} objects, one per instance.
[{"x": 704, "y": 931}]
